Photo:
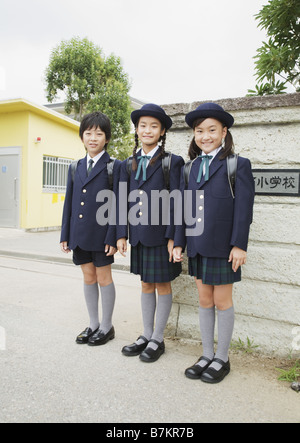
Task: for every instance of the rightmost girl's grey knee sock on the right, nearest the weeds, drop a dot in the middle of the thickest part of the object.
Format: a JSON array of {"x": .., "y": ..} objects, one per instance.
[{"x": 225, "y": 330}]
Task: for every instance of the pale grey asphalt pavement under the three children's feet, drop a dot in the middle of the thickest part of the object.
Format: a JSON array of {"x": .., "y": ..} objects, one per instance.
[{"x": 47, "y": 378}]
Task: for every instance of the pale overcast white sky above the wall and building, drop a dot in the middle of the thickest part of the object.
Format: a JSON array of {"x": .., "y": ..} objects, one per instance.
[{"x": 174, "y": 51}]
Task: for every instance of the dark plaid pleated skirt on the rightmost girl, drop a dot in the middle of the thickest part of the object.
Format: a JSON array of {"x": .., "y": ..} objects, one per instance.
[{"x": 213, "y": 271}]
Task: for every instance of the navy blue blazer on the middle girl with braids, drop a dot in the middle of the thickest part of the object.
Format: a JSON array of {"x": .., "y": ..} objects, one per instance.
[{"x": 149, "y": 226}]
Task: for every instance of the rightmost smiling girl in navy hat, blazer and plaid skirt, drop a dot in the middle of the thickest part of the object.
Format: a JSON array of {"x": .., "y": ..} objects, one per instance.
[{"x": 216, "y": 256}]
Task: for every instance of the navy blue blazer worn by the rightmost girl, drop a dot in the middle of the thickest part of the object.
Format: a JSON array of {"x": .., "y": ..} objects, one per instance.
[{"x": 226, "y": 219}]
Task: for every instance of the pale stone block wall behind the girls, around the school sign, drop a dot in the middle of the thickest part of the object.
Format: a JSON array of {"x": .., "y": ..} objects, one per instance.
[{"x": 267, "y": 301}]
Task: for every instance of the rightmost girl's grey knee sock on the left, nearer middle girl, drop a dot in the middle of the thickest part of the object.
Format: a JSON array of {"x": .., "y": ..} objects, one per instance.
[{"x": 207, "y": 329}]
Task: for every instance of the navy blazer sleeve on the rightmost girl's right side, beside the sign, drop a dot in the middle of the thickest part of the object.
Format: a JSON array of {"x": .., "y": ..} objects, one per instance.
[{"x": 243, "y": 204}]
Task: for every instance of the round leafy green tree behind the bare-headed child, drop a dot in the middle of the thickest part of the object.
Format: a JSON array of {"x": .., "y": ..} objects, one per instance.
[{"x": 91, "y": 82}]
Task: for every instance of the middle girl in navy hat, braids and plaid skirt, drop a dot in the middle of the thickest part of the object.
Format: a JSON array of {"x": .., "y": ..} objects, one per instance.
[{"x": 151, "y": 245}]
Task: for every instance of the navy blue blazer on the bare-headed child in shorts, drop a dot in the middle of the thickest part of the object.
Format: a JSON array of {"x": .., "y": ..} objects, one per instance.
[{"x": 79, "y": 223}]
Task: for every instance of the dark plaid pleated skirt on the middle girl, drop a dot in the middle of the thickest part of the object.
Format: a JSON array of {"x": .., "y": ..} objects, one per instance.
[{"x": 152, "y": 264}]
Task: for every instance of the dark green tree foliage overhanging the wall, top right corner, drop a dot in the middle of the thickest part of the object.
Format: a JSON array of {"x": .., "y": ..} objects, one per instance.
[{"x": 277, "y": 60}]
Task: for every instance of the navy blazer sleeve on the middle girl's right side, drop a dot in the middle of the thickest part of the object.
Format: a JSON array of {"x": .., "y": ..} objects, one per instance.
[{"x": 177, "y": 163}]
